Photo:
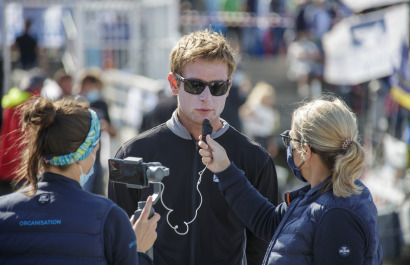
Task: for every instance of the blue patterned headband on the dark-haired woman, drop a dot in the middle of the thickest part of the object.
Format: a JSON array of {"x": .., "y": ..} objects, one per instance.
[{"x": 85, "y": 148}]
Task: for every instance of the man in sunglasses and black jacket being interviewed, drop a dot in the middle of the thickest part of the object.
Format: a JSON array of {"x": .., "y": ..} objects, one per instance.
[{"x": 198, "y": 227}]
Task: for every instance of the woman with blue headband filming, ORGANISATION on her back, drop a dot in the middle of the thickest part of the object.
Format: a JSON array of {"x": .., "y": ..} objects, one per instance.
[{"x": 51, "y": 219}]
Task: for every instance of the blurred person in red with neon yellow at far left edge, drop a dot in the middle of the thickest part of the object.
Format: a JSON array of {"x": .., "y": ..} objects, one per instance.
[{"x": 11, "y": 130}]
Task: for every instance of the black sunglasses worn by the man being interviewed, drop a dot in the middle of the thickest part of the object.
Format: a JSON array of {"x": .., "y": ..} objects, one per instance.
[{"x": 196, "y": 86}]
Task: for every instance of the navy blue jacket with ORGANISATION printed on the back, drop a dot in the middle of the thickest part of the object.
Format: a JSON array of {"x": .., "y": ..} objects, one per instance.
[{"x": 62, "y": 224}]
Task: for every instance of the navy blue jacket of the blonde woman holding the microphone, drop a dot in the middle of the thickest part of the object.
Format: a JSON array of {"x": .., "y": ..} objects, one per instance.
[{"x": 312, "y": 227}]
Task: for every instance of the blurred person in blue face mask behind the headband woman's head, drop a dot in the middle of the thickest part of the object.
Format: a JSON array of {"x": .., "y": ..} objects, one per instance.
[{"x": 91, "y": 87}]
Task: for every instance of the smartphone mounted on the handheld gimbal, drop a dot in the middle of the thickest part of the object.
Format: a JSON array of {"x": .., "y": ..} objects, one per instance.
[{"x": 128, "y": 172}]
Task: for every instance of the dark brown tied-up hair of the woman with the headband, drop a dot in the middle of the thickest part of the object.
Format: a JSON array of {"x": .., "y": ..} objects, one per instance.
[{"x": 51, "y": 129}]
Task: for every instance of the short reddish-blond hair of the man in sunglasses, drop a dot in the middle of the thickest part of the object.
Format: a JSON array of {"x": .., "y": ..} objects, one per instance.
[{"x": 206, "y": 45}]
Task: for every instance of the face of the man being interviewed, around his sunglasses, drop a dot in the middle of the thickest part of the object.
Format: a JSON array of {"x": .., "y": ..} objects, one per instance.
[{"x": 193, "y": 109}]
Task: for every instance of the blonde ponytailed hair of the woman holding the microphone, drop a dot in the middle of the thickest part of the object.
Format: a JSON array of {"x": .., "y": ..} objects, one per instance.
[{"x": 329, "y": 127}]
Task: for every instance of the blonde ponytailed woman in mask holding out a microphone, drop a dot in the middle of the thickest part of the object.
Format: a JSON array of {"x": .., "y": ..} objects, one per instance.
[{"x": 333, "y": 219}]
